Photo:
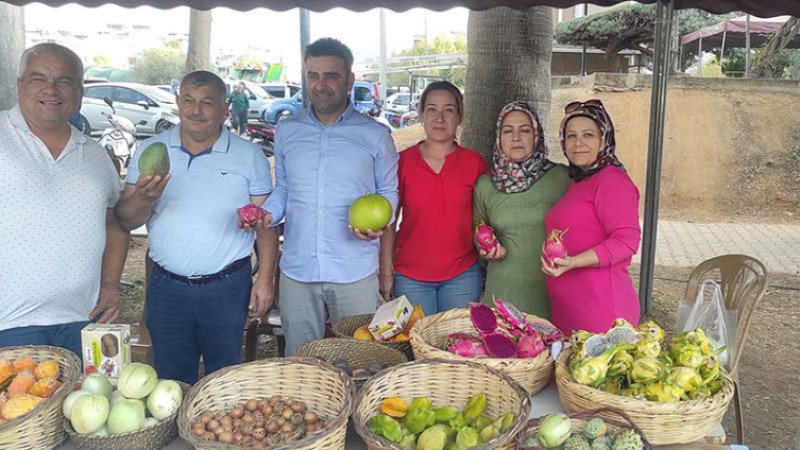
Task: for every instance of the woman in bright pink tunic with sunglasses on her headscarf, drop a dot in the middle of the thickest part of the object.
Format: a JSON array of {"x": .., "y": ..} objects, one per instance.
[{"x": 591, "y": 286}]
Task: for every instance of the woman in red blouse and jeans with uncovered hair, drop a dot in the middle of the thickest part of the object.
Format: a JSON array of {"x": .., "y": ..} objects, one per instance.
[{"x": 435, "y": 261}]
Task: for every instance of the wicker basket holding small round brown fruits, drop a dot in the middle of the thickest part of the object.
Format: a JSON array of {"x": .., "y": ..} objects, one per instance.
[{"x": 281, "y": 403}]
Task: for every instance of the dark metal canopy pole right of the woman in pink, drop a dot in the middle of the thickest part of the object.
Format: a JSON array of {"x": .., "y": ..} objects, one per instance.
[{"x": 658, "y": 103}]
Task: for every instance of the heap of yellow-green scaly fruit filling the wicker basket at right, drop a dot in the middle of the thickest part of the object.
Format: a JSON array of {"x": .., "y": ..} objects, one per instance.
[{"x": 635, "y": 362}]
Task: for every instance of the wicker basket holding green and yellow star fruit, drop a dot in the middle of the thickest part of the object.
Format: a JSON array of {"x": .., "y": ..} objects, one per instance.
[{"x": 438, "y": 404}]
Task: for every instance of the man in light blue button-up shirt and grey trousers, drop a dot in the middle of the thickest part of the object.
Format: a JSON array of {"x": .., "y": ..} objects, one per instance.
[{"x": 325, "y": 158}]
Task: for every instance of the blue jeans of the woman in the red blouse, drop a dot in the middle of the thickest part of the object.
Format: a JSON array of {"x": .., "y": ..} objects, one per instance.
[{"x": 438, "y": 296}]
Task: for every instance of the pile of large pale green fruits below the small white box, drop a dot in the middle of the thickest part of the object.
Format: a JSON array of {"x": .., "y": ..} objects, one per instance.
[{"x": 141, "y": 400}]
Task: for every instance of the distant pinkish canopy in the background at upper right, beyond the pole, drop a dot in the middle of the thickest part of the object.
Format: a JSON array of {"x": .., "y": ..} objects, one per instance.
[{"x": 734, "y": 31}]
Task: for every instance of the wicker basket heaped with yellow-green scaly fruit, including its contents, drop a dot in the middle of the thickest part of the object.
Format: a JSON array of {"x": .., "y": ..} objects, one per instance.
[{"x": 676, "y": 392}]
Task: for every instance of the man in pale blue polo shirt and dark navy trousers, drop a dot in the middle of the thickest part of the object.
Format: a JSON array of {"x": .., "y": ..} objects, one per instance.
[{"x": 200, "y": 286}]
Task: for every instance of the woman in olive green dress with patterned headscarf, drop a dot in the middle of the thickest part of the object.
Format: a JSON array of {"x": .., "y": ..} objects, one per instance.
[{"x": 513, "y": 198}]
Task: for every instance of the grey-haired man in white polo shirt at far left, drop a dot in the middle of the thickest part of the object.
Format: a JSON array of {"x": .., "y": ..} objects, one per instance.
[{"x": 61, "y": 247}]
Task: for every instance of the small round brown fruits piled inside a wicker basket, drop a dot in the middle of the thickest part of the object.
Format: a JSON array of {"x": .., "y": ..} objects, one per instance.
[{"x": 261, "y": 423}]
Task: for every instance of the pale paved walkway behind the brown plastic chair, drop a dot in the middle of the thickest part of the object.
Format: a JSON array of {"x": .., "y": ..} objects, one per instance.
[{"x": 686, "y": 244}]
